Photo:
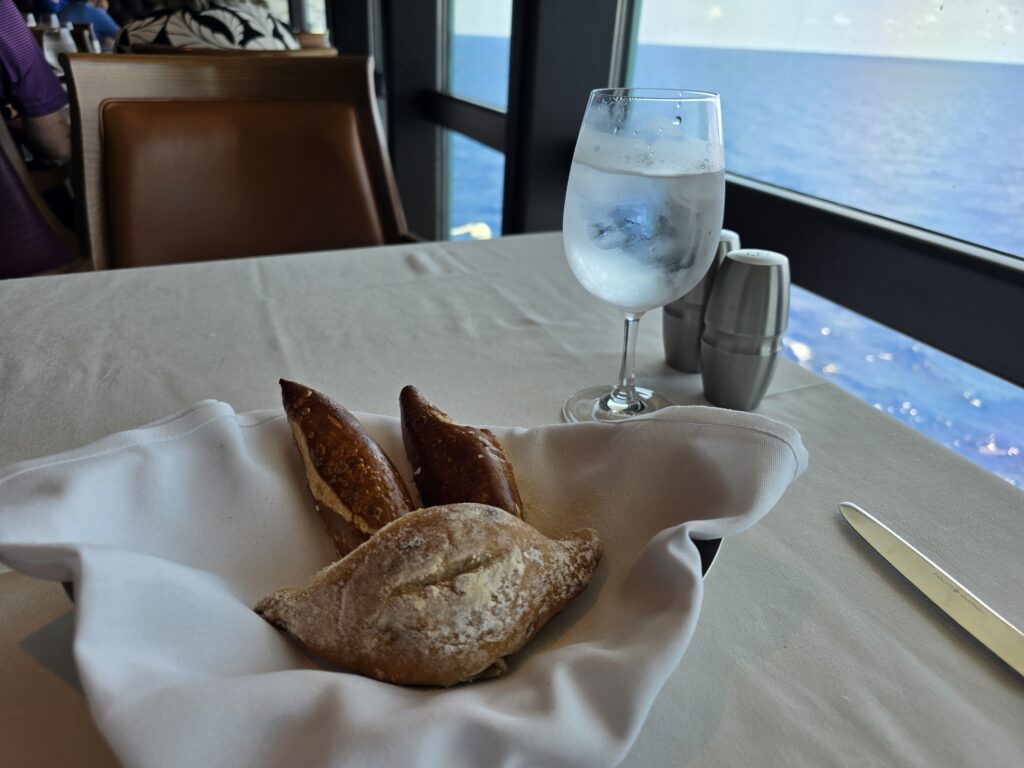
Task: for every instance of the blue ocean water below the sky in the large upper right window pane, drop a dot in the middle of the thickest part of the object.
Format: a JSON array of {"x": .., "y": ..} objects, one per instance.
[{"x": 932, "y": 144}]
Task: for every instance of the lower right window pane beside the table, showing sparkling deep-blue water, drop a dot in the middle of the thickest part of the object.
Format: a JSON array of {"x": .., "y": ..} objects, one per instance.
[{"x": 975, "y": 414}]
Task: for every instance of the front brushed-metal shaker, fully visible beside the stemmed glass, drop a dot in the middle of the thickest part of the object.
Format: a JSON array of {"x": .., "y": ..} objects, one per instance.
[{"x": 748, "y": 312}]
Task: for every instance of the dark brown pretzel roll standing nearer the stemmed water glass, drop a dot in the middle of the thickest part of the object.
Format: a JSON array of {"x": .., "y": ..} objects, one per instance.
[{"x": 453, "y": 463}]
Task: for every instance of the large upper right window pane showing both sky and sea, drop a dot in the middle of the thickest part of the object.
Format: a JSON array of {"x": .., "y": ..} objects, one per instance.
[{"x": 905, "y": 109}]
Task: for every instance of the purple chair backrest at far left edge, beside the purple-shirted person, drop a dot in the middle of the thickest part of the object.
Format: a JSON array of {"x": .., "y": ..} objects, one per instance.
[{"x": 32, "y": 240}]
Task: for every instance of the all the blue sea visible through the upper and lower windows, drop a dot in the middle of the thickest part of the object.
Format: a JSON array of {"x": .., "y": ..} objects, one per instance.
[{"x": 933, "y": 144}]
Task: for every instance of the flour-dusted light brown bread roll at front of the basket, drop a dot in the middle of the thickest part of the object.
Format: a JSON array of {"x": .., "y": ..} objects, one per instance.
[{"x": 439, "y": 596}]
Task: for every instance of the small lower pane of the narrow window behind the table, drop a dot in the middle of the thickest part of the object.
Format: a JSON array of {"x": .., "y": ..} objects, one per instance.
[{"x": 476, "y": 189}]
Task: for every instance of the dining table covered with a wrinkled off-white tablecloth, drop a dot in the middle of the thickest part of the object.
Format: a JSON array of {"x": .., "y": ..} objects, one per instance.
[{"x": 810, "y": 649}]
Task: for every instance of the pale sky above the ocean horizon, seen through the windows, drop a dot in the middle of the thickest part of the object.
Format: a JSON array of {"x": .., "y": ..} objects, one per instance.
[{"x": 965, "y": 30}]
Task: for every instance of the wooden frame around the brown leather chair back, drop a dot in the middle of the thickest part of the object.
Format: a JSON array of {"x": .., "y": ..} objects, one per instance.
[{"x": 96, "y": 79}]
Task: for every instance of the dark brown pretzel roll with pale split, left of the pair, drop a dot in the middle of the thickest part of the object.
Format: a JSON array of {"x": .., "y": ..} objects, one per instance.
[{"x": 356, "y": 487}]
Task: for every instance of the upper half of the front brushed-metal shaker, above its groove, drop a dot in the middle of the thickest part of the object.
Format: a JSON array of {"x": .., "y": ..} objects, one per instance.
[{"x": 752, "y": 295}]
